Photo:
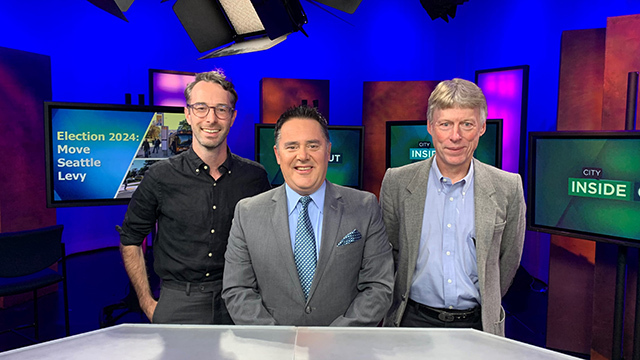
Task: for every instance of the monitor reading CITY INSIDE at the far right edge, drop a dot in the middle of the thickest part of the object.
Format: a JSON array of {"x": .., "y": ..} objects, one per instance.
[{"x": 585, "y": 185}]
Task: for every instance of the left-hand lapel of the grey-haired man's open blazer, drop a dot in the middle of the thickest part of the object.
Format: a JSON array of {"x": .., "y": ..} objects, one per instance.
[{"x": 414, "y": 212}]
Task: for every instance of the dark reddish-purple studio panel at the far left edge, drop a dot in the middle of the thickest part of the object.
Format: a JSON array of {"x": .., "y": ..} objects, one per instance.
[{"x": 25, "y": 83}]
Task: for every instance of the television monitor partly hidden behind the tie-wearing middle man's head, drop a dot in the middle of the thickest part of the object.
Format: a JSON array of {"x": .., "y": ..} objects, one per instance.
[{"x": 345, "y": 163}]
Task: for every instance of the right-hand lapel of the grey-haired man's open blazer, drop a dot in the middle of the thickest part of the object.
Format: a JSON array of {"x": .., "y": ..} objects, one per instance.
[{"x": 485, "y": 215}]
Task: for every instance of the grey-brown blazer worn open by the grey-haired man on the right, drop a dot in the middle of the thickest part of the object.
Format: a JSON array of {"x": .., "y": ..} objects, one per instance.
[{"x": 499, "y": 223}]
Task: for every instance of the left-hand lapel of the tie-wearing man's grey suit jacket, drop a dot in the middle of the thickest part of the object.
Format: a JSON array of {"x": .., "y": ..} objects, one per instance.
[{"x": 280, "y": 227}]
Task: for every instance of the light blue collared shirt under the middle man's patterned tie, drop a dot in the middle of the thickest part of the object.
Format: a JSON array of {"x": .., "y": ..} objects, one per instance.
[{"x": 315, "y": 209}]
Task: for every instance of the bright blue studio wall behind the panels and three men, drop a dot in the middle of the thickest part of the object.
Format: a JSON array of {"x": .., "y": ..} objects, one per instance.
[{"x": 97, "y": 58}]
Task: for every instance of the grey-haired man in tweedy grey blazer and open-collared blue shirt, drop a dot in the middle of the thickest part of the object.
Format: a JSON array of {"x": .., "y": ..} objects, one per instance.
[{"x": 456, "y": 225}]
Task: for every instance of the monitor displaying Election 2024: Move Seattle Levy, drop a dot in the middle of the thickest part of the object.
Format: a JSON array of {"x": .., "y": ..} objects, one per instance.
[{"x": 95, "y": 153}]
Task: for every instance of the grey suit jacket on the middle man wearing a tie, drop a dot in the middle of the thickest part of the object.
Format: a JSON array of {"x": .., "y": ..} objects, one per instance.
[{"x": 352, "y": 285}]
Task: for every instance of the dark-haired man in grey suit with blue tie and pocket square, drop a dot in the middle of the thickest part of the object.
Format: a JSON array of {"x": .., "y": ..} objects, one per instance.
[{"x": 308, "y": 253}]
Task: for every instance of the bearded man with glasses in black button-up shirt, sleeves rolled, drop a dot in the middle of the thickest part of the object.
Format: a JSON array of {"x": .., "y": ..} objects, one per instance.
[{"x": 192, "y": 197}]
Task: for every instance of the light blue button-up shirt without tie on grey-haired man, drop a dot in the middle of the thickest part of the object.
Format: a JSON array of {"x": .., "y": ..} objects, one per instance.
[{"x": 446, "y": 274}]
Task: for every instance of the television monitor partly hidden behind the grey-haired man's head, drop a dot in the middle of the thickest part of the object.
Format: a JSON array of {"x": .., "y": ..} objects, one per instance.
[{"x": 409, "y": 141}]
